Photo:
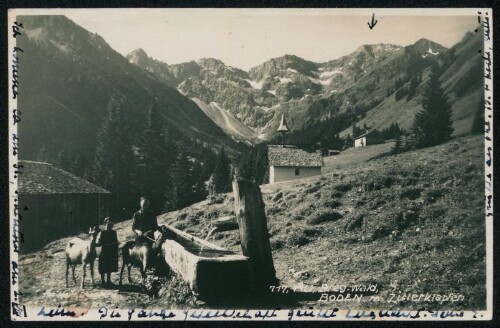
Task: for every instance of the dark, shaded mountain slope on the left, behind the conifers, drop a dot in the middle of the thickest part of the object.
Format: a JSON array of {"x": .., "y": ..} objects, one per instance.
[{"x": 77, "y": 73}]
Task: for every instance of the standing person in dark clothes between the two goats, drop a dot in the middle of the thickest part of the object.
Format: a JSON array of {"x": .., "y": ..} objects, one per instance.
[{"x": 108, "y": 259}]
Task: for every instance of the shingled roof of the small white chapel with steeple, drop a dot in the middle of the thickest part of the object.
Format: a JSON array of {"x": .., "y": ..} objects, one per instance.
[{"x": 293, "y": 156}]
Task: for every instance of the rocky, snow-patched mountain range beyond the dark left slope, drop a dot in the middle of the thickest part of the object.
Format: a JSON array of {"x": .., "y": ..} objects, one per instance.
[{"x": 248, "y": 105}]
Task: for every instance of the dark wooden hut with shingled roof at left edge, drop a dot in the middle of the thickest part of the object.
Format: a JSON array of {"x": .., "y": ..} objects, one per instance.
[{"x": 54, "y": 203}]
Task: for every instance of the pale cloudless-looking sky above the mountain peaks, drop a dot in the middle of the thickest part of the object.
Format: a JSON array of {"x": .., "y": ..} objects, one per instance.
[{"x": 245, "y": 38}]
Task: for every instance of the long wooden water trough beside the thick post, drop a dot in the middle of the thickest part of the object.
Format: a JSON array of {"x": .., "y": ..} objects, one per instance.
[{"x": 211, "y": 271}]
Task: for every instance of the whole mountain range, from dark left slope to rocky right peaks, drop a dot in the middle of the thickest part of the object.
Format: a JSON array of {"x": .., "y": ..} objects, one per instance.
[{"x": 68, "y": 74}]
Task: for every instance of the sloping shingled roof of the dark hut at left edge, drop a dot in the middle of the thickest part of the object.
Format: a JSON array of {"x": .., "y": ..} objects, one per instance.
[{"x": 44, "y": 178}]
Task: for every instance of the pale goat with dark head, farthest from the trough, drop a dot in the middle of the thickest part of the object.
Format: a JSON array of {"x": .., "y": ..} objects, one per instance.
[{"x": 80, "y": 251}]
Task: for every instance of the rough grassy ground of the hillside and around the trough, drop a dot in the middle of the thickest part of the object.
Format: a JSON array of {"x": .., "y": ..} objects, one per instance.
[{"x": 410, "y": 223}]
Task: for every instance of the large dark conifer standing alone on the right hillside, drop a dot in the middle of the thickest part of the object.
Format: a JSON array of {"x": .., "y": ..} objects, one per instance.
[{"x": 433, "y": 124}]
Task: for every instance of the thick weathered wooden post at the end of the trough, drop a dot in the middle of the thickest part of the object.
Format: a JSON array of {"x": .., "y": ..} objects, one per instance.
[{"x": 254, "y": 236}]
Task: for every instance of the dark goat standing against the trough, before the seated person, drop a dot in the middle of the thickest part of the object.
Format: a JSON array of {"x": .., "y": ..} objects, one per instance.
[{"x": 141, "y": 255}]
